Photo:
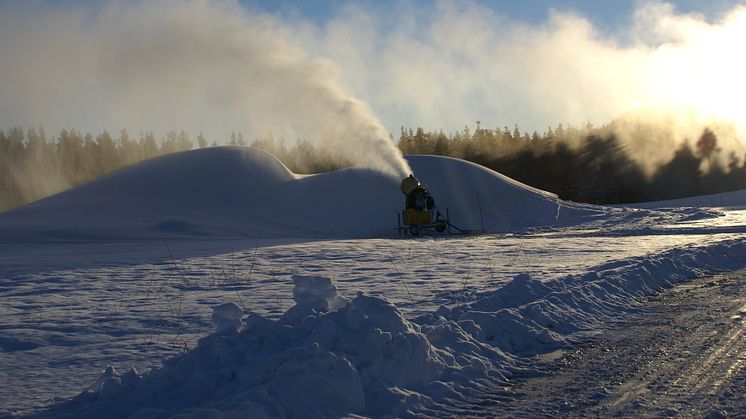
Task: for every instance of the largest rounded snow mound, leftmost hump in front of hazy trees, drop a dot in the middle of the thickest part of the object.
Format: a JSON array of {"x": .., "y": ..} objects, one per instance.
[{"x": 198, "y": 193}]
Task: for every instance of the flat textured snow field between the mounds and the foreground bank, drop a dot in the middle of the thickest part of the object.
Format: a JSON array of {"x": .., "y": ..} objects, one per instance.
[{"x": 57, "y": 320}]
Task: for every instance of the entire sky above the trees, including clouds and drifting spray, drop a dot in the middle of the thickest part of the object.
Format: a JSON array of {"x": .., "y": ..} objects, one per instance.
[{"x": 326, "y": 68}]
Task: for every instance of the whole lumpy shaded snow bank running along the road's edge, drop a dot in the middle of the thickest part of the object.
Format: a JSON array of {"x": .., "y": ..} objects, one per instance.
[{"x": 329, "y": 356}]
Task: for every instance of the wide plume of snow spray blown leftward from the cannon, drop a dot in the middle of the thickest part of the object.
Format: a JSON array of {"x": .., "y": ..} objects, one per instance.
[{"x": 209, "y": 67}]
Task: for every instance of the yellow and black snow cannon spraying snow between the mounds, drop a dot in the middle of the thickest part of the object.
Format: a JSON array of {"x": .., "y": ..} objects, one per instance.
[{"x": 420, "y": 213}]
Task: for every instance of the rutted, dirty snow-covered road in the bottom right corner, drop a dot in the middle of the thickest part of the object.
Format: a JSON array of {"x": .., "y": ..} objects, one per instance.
[{"x": 681, "y": 355}]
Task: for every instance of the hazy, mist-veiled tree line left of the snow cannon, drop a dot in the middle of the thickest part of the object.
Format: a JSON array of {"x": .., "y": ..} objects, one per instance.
[{"x": 34, "y": 165}]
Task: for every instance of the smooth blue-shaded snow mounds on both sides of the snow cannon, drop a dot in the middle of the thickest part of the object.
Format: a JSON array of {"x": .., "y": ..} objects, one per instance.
[{"x": 245, "y": 192}]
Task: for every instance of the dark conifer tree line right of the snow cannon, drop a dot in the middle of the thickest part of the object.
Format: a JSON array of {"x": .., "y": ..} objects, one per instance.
[{"x": 586, "y": 164}]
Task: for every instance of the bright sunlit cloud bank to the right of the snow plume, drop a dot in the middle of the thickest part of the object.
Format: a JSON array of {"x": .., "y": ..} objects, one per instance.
[{"x": 461, "y": 62}]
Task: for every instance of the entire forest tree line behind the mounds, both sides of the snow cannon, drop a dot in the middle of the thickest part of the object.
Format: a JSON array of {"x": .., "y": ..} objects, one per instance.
[{"x": 582, "y": 164}]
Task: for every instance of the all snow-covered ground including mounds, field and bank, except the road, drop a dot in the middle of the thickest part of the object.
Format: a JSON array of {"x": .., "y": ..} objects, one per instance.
[{"x": 339, "y": 314}]
